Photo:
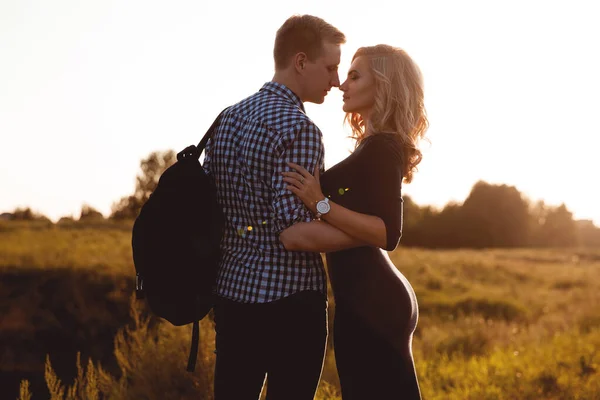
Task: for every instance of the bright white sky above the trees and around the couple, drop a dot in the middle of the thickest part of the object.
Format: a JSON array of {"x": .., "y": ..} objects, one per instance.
[{"x": 89, "y": 88}]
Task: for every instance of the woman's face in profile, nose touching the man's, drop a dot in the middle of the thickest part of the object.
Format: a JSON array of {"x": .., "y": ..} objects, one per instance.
[{"x": 359, "y": 88}]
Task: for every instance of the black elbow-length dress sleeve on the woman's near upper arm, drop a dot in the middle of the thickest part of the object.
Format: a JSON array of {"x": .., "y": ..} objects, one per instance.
[{"x": 382, "y": 163}]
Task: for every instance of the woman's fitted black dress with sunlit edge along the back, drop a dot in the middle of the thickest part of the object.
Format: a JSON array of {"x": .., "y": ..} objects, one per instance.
[{"x": 376, "y": 309}]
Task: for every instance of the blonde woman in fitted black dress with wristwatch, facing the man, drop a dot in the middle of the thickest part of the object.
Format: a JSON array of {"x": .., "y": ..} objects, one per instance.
[{"x": 360, "y": 208}]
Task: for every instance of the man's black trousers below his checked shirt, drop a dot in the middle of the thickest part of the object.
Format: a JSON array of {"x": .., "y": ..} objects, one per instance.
[{"x": 283, "y": 340}]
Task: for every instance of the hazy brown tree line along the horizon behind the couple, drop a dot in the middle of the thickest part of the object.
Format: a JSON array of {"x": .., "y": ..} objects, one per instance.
[{"x": 491, "y": 216}]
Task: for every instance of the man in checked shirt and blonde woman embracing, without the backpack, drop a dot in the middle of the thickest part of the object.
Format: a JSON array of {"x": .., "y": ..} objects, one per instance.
[{"x": 282, "y": 210}]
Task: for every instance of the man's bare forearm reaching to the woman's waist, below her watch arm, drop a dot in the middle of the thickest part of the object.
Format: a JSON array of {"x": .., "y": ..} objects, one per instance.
[{"x": 317, "y": 236}]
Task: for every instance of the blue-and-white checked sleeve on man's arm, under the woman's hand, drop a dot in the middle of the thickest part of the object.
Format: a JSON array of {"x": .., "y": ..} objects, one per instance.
[{"x": 302, "y": 145}]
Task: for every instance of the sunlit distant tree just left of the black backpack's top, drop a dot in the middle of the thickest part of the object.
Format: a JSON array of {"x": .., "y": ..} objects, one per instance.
[{"x": 152, "y": 168}]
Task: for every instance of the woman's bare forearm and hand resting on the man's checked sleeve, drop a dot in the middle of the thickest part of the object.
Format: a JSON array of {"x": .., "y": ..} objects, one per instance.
[{"x": 367, "y": 229}]
